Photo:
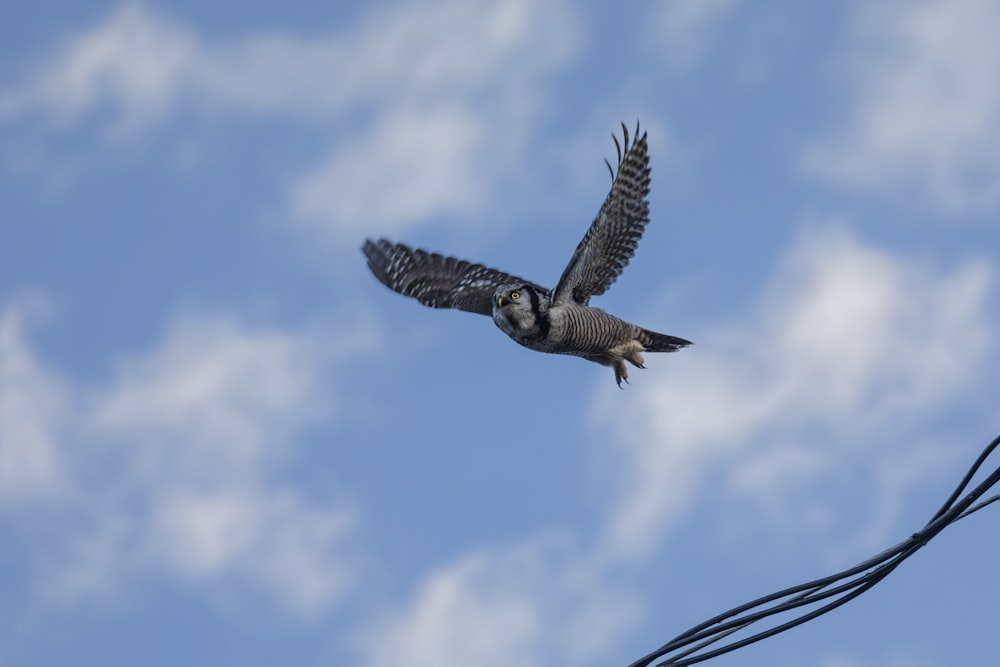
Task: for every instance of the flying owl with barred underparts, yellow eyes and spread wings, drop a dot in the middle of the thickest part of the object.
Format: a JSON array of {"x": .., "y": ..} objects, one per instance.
[{"x": 560, "y": 320}]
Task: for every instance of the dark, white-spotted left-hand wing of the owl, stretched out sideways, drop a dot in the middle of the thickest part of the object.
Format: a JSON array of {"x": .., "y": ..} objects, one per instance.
[{"x": 435, "y": 280}]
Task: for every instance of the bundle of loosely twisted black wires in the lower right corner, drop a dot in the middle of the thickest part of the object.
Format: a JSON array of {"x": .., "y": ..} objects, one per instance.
[{"x": 816, "y": 598}]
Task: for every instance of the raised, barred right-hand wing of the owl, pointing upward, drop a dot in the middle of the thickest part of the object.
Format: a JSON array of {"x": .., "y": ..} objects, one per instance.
[{"x": 612, "y": 238}]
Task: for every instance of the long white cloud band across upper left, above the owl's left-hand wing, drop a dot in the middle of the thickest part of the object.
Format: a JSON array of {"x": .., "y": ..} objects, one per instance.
[{"x": 449, "y": 91}]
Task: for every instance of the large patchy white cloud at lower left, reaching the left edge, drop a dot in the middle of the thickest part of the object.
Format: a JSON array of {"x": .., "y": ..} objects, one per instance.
[{"x": 173, "y": 468}]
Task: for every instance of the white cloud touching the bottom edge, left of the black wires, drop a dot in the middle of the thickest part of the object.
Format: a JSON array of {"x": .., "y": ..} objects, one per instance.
[{"x": 514, "y": 606}]
